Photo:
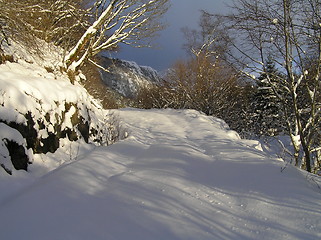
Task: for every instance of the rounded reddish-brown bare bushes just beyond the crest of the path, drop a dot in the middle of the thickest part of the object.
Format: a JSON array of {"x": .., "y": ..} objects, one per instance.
[{"x": 200, "y": 83}]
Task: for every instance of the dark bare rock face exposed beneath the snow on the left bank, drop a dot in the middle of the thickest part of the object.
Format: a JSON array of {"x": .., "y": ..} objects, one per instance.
[{"x": 80, "y": 129}]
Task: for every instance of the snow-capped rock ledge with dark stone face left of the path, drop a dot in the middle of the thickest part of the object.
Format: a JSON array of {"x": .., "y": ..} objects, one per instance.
[{"x": 38, "y": 109}]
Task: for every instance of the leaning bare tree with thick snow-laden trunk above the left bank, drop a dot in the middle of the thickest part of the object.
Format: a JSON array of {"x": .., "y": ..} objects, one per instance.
[{"x": 131, "y": 22}]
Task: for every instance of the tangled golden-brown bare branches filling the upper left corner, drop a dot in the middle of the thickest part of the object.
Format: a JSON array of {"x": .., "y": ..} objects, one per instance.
[{"x": 57, "y": 21}]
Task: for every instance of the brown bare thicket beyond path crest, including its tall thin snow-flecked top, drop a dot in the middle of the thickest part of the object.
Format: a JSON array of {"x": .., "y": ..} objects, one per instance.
[{"x": 204, "y": 82}]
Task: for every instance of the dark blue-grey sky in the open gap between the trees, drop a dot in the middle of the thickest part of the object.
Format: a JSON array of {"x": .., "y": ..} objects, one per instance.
[{"x": 183, "y": 13}]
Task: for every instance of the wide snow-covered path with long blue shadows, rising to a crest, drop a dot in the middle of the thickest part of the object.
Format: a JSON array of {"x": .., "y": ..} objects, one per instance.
[{"x": 179, "y": 175}]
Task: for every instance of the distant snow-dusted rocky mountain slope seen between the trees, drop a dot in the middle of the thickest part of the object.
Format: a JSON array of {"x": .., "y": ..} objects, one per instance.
[{"x": 126, "y": 77}]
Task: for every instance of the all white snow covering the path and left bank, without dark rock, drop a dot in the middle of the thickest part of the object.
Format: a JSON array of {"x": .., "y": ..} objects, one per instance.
[{"x": 179, "y": 174}]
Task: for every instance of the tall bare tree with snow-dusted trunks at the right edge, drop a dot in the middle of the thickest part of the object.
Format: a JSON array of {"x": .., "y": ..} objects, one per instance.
[{"x": 289, "y": 31}]
